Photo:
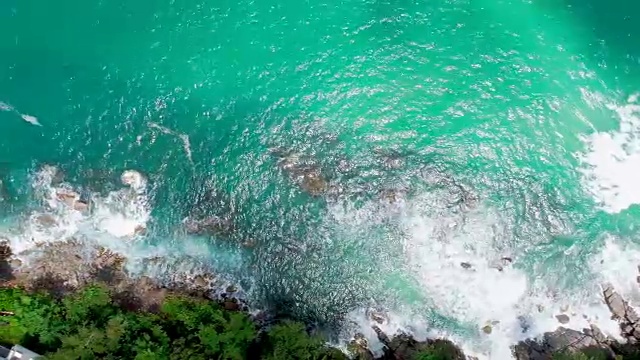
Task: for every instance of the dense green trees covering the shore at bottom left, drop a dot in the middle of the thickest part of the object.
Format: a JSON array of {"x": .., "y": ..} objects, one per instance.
[{"x": 89, "y": 325}]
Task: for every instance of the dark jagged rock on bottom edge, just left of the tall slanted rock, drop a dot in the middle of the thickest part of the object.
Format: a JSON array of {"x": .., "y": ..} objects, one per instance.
[{"x": 560, "y": 340}]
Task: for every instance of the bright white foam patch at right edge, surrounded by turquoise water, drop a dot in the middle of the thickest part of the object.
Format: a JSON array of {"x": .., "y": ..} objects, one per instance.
[{"x": 612, "y": 162}]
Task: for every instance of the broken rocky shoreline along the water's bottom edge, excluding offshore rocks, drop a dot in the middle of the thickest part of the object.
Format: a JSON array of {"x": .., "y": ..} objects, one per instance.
[{"x": 82, "y": 267}]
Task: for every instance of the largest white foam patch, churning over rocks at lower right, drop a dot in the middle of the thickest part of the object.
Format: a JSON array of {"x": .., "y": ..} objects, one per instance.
[{"x": 489, "y": 303}]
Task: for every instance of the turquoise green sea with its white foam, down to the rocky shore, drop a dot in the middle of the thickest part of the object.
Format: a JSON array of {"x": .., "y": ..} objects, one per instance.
[{"x": 447, "y": 136}]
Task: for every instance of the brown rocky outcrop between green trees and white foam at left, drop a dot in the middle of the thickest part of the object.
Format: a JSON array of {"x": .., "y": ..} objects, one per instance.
[{"x": 66, "y": 266}]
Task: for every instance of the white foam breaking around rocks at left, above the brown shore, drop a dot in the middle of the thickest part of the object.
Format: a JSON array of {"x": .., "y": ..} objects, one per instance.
[{"x": 117, "y": 221}]
